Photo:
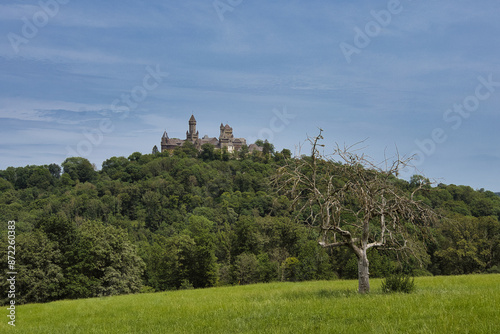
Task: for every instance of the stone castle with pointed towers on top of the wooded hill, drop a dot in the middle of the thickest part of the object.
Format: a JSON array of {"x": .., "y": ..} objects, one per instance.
[{"x": 226, "y": 139}]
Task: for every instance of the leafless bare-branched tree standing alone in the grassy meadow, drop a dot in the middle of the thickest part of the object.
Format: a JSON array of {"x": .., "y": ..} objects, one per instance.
[{"x": 354, "y": 202}]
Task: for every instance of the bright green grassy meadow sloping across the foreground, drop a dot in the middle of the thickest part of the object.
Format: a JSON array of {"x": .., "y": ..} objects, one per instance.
[{"x": 452, "y": 304}]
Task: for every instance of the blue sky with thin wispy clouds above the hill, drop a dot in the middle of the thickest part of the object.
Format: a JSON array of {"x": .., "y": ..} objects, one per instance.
[{"x": 106, "y": 78}]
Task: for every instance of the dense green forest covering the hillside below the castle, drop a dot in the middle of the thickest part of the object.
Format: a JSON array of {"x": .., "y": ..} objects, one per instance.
[{"x": 194, "y": 219}]
